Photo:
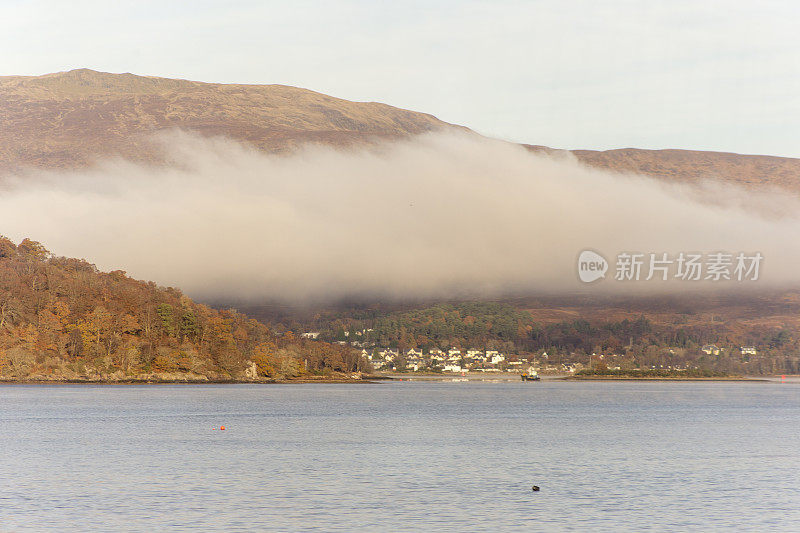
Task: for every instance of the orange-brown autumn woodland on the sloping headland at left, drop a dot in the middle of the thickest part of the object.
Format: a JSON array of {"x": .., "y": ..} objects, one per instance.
[{"x": 61, "y": 319}]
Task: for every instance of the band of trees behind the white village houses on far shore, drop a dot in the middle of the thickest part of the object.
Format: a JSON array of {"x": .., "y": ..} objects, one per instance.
[{"x": 503, "y": 326}]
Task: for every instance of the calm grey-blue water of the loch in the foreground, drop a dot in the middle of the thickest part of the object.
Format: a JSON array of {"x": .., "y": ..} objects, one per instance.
[{"x": 402, "y": 456}]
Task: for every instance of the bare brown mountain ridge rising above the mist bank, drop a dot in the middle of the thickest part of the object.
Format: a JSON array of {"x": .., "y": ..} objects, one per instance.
[{"x": 68, "y": 119}]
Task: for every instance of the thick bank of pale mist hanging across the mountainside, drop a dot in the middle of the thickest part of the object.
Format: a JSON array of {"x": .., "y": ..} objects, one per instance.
[{"x": 437, "y": 216}]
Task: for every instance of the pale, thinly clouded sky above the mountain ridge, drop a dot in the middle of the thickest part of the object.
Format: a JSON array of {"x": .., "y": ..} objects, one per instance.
[{"x": 706, "y": 75}]
